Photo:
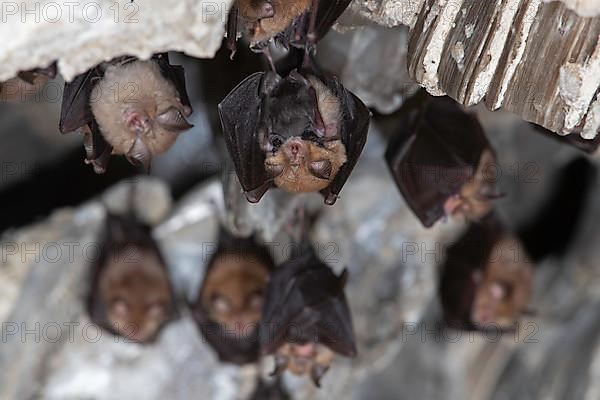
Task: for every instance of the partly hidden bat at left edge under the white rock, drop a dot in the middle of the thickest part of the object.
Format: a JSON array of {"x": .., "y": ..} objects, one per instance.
[{"x": 26, "y": 83}]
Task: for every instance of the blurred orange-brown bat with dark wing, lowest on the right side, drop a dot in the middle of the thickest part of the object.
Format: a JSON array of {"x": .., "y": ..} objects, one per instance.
[{"x": 487, "y": 279}]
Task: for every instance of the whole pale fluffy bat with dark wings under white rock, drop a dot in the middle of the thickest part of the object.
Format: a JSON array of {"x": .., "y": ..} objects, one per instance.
[{"x": 127, "y": 107}]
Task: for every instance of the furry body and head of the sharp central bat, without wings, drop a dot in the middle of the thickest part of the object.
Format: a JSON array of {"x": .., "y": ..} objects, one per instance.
[{"x": 301, "y": 131}]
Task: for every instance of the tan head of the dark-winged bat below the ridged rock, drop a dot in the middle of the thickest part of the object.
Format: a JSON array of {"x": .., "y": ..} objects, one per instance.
[{"x": 475, "y": 197}]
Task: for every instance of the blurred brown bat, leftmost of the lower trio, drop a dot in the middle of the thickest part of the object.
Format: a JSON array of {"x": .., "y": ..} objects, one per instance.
[{"x": 131, "y": 295}]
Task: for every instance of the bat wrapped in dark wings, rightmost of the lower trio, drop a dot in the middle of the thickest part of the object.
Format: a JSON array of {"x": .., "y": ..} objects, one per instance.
[{"x": 306, "y": 317}]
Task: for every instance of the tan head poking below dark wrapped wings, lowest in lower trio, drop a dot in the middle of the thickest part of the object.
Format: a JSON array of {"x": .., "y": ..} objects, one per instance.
[{"x": 308, "y": 358}]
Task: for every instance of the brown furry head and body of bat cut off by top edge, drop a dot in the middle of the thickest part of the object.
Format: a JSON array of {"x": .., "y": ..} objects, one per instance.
[{"x": 264, "y": 19}]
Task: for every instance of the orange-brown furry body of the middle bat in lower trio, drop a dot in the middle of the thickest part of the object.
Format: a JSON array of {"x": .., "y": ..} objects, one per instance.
[{"x": 233, "y": 292}]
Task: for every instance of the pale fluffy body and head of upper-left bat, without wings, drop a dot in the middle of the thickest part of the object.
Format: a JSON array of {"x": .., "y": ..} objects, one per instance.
[{"x": 139, "y": 112}]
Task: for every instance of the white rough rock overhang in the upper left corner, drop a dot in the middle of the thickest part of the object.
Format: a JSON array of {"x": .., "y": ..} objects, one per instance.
[{"x": 82, "y": 34}]
